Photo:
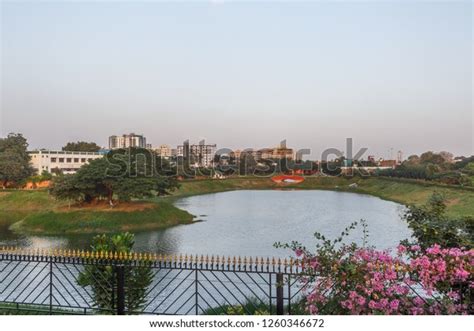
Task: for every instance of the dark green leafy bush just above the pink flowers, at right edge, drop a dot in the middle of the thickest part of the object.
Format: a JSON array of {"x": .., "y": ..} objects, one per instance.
[{"x": 430, "y": 225}]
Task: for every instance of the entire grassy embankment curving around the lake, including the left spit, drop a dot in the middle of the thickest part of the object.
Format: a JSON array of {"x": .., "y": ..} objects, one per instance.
[{"x": 37, "y": 212}]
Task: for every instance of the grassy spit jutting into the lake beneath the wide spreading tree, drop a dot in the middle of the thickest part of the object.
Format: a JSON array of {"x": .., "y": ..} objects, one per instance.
[{"x": 38, "y": 213}]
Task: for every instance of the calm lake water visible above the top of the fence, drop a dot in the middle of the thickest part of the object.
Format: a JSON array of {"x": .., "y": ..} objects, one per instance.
[{"x": 247, "y": 223}]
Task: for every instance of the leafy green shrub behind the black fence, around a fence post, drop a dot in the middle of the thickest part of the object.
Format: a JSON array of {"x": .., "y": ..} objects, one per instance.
[{"x": 103, "y": 278}]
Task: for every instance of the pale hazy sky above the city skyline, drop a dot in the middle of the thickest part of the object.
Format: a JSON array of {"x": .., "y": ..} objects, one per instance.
[{"x": 389, "y": 75}]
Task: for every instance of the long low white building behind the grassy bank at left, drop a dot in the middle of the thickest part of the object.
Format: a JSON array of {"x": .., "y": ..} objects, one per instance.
[{"x": 67, "y": 162}]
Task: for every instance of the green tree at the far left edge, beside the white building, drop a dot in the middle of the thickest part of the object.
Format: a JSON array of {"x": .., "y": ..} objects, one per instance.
[{"x": 14, "y": 159}]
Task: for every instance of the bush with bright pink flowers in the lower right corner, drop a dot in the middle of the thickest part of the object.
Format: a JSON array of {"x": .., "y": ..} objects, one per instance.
[{"x": 347, "y": 279}]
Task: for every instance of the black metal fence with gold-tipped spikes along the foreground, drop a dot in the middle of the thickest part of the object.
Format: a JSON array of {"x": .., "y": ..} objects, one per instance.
[{"x": 78, "y": 282}]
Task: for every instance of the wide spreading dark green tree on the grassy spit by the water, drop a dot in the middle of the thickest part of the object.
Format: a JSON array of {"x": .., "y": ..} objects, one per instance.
[{"x": 120, "y": 176}]
